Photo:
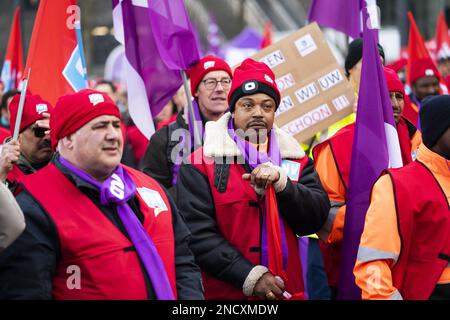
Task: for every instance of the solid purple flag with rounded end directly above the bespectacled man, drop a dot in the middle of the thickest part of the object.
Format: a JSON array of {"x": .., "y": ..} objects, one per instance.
[{"x": 173, "y": 34}]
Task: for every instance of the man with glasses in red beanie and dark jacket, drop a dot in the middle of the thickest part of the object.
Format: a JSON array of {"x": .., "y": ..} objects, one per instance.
[{"x": 210, "y": 83}]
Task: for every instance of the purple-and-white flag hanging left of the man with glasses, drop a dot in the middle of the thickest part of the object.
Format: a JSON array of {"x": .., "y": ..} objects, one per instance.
[{"x": 151, "y": 84}]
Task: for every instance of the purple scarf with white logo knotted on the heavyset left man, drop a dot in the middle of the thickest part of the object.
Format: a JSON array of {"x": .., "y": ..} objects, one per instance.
[{"x": 118, "y": 189}]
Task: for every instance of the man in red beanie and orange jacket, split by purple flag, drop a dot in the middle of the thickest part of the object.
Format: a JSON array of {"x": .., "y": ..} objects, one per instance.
[{"x": 332, "y": 161}]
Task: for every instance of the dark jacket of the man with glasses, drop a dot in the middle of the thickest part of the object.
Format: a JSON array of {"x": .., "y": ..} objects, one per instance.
[{"x": 158, "y": 161}]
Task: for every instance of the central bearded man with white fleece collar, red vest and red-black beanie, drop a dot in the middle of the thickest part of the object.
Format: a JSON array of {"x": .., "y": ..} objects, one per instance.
[{"x": 247, "y": 168}]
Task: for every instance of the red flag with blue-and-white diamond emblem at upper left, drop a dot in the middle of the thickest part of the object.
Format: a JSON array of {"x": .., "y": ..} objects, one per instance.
[{"x": 56, "y": 62}]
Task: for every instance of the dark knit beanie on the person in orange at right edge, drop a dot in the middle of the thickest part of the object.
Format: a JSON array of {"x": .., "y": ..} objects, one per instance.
[{"x": 434, "y": 118}]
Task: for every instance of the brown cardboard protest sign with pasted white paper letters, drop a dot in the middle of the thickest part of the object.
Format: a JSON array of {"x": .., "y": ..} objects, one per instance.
[{"x": 315, "y": 92}]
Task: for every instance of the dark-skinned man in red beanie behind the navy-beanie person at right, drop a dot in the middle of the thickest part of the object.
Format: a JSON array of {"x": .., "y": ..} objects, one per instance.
[{"x": 424, "y": 78}]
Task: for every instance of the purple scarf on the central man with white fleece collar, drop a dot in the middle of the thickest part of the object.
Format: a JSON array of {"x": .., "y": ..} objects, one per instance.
[{"x": 254, "y": 158}]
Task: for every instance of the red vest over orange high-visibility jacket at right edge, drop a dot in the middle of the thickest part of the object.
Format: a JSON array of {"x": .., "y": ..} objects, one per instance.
[{"x": 423, "y": 216}]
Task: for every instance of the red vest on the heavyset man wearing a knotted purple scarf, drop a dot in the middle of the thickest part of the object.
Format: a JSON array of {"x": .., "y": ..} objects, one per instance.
[{"x": 109, "y": 268}]
